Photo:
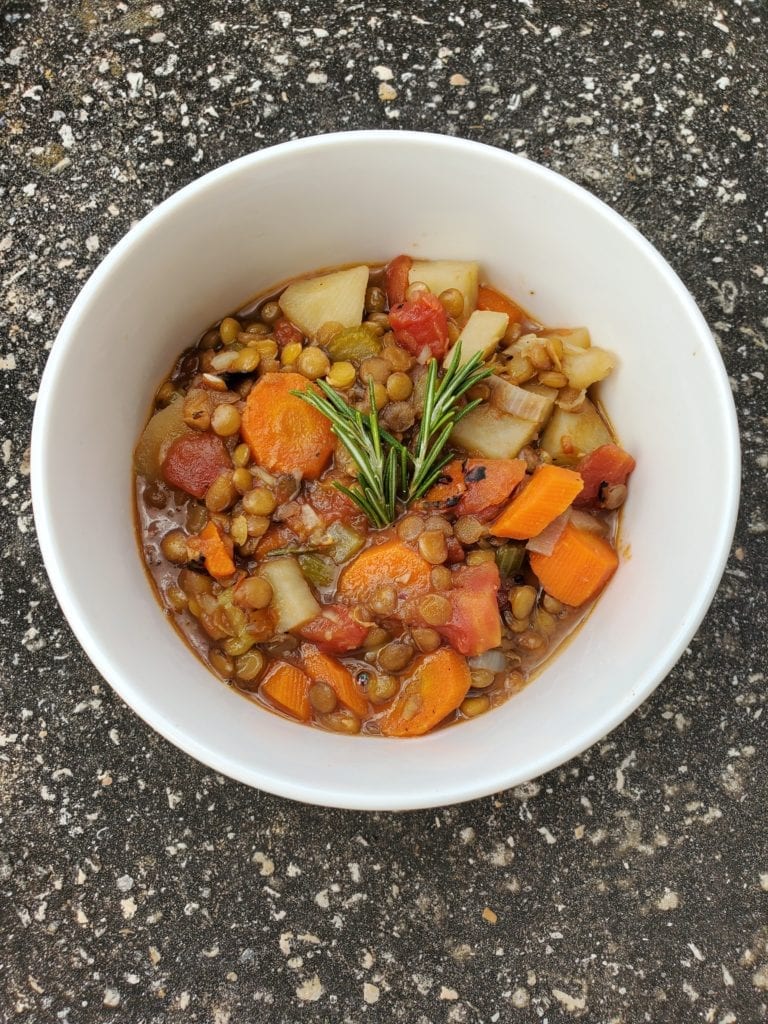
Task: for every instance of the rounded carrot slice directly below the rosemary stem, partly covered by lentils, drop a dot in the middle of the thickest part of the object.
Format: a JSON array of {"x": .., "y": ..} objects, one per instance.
[{"x": 389, "y": 565}]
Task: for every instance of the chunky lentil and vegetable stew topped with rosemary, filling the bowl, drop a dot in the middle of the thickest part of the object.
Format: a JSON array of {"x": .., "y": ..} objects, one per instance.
[{"x": 377, "y": 500}]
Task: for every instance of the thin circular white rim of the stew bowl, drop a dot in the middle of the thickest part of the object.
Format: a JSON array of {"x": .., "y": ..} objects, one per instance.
[{"x": 458, "y": 791}]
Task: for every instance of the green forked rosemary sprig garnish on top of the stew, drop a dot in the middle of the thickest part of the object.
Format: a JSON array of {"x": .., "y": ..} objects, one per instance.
[{"x": 388, "y": 472}]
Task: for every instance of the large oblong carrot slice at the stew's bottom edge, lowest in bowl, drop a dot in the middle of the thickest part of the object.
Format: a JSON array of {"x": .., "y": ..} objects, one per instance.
[{"x": 436, "y": 688}]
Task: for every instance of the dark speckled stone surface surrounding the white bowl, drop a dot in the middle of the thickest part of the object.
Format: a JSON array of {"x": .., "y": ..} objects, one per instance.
[{"x": 138, "y": 886}]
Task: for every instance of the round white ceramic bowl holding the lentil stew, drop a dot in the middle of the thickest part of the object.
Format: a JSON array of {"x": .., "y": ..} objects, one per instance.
[{"x": 366, "y": 197}]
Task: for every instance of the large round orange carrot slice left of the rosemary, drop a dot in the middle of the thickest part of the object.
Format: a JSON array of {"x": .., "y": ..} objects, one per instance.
[{"x": 283, "y": 433}]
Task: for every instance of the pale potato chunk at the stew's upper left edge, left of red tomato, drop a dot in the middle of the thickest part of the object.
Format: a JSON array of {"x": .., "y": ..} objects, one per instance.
[{"x": 337, "y": 297}]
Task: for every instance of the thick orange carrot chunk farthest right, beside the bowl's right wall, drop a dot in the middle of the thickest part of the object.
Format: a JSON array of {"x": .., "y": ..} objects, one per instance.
[{"x": 579, "y": 568}]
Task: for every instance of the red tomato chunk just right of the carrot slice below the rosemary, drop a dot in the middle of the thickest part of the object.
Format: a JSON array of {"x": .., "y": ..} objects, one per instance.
[{"x": 475, "y": 625}]
